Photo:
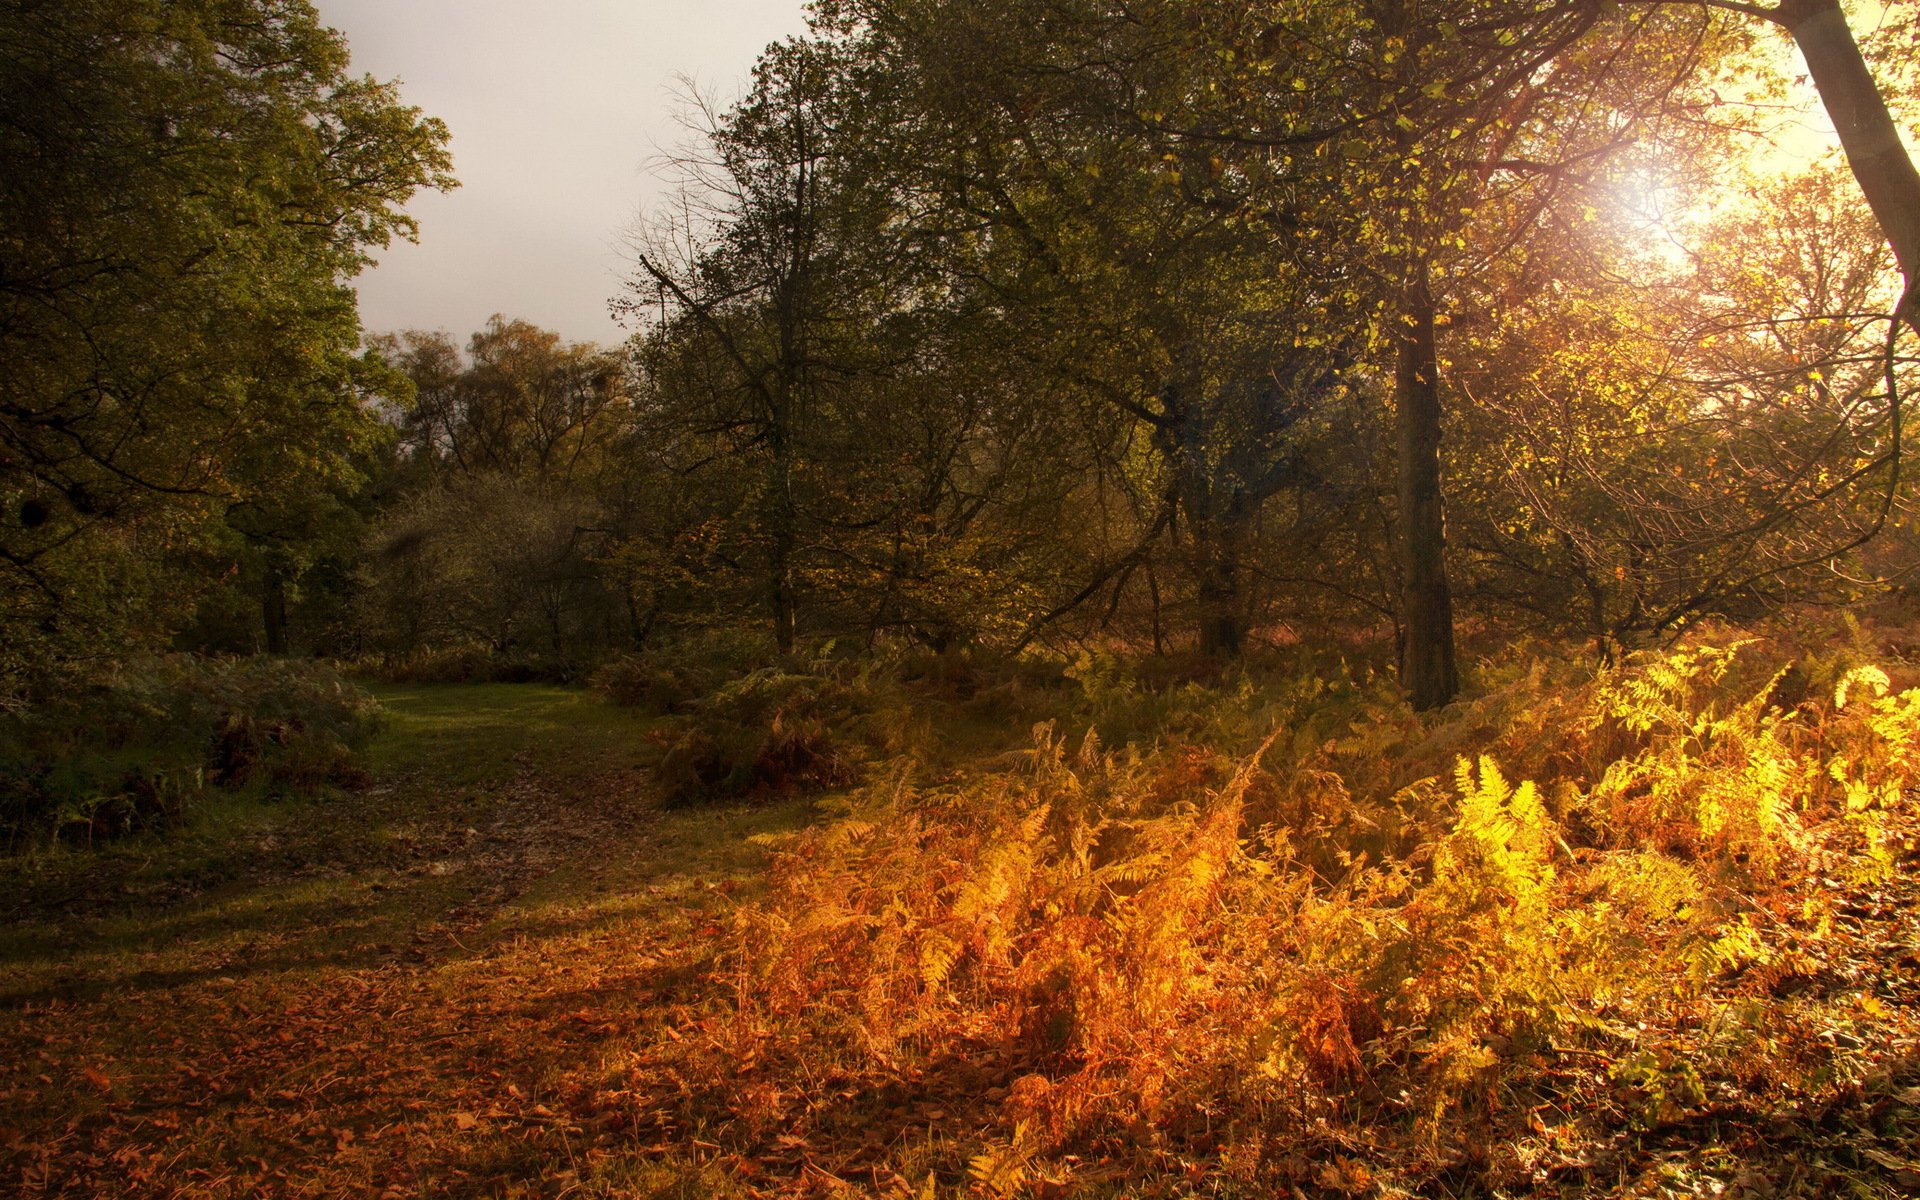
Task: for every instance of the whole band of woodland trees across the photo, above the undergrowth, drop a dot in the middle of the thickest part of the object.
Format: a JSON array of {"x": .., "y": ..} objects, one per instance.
[{"x": 1019, "y": 324}]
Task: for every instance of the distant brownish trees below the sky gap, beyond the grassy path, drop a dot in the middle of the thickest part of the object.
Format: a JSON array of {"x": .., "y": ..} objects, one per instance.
[{"x": 506, "y": 491}]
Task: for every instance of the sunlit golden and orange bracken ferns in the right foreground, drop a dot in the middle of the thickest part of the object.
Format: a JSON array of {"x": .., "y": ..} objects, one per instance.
[{"x": 1289, "y": 928}]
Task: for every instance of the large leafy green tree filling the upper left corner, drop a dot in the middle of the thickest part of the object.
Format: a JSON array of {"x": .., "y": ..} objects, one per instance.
[{"x": 189, "y": 187}]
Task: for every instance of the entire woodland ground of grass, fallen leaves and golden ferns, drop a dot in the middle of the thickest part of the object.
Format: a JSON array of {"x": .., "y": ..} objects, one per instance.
[{"x": 1141, "y": 951}]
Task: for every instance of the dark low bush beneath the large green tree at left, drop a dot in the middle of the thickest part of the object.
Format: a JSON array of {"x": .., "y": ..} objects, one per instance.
[{"x": 133, "y": 746}]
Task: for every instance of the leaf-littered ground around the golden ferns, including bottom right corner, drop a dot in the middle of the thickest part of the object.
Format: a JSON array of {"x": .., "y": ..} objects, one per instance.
[{"x": 437, "y": 988}]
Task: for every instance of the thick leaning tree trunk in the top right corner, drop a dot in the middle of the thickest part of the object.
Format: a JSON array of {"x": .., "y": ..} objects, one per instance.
[{"x": 1867, "y": 132}]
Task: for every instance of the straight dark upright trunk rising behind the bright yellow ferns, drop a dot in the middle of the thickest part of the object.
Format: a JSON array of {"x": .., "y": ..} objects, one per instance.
[{"x": 1428, "y": 669}]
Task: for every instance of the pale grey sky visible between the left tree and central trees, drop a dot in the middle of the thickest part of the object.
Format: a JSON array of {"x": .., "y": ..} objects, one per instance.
[{"x": 556, "y": 110}]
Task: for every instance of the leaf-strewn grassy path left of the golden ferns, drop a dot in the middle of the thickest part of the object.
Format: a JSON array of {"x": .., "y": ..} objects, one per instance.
[{"x": 408, "y": 992}]
